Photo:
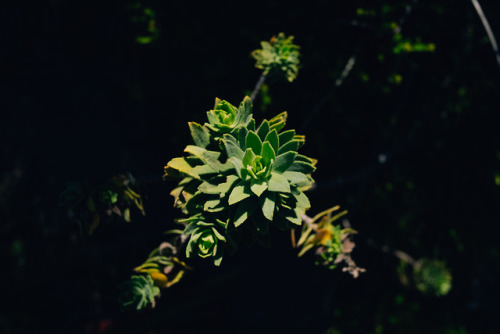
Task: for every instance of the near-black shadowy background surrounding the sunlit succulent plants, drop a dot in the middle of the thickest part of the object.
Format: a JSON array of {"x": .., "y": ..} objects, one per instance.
[{"x": 81, "y": 99}]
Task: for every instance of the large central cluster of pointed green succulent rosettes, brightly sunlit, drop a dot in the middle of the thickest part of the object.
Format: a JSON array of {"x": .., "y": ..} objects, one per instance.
[{"x": 238, "y": 173}]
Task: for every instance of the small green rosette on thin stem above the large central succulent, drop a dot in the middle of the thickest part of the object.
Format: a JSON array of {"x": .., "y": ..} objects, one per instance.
[{"x": 279, "y": 56}]
